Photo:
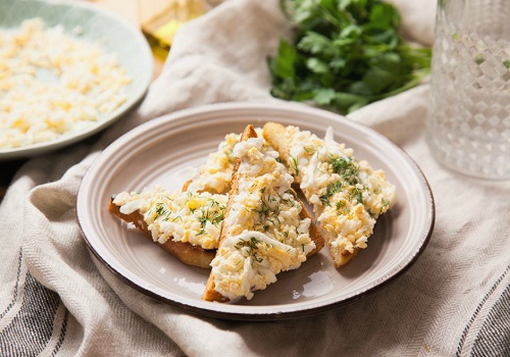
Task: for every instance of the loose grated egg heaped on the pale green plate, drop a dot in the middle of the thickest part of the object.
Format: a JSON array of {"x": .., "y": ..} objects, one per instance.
[{"x": 52, "y": 83}]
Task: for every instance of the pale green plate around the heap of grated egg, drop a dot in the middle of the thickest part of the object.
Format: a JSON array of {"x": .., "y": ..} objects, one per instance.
[{"x": 114, "y": 34}]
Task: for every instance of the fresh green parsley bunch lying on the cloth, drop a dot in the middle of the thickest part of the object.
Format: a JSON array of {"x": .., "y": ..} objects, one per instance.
[{"x": 346, "y": 54}]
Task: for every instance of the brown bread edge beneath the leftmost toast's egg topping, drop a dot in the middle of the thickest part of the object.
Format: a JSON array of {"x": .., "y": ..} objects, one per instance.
[{"x": 185, "y": 252}]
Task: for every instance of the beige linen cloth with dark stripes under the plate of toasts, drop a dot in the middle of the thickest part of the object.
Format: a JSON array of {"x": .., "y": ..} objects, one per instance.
[{"x": 55, "y": 300}]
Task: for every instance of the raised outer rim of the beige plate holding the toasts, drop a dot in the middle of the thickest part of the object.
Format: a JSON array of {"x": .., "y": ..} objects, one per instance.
[{"x": 261, "y": 315}]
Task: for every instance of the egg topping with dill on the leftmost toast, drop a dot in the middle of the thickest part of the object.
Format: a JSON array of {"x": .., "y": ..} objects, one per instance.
[{"x": 186, "y": 217}]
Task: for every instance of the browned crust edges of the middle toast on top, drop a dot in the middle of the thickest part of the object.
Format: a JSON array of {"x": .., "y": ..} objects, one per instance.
[{"x": 210, "y": 294}]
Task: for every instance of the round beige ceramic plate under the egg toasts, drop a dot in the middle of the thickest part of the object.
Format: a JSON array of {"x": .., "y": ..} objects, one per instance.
[{"x": 160, "y": 151}]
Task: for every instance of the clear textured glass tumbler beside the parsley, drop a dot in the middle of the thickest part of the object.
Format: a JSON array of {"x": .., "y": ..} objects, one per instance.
[{"x": 468, "y": 128}]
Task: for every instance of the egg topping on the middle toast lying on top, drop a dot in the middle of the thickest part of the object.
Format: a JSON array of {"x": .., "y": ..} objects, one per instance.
[{"x": 264, "y": 232}]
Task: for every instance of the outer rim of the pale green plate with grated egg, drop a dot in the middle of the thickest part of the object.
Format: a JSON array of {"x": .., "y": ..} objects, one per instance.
[{"x": 44, "y": 147}]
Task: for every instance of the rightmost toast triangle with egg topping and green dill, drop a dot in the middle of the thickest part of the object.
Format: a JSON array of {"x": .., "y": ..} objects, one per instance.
[{"x": 346, "y": 194}]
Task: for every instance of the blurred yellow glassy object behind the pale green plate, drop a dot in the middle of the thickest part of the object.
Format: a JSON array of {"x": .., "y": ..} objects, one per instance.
[{"x": 165, "y": 18}]
